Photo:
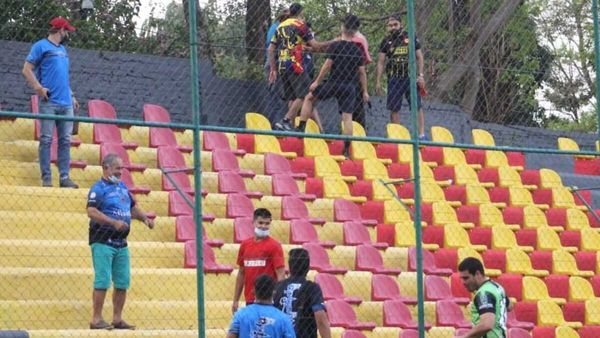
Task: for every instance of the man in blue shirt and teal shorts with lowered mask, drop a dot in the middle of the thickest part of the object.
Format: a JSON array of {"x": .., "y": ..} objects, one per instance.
[{"x": 111, "y": 207}]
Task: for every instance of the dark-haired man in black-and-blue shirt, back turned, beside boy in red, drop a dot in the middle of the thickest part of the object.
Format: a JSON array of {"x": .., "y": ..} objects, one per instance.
[{"x": 301, "y": 299}]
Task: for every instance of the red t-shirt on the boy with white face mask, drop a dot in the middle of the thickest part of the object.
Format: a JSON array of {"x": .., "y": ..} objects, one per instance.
[{"x": 256, "y": 258}]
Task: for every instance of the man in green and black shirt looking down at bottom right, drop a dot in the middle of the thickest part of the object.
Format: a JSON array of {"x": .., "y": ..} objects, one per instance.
[{"x": 490, "y": 306}]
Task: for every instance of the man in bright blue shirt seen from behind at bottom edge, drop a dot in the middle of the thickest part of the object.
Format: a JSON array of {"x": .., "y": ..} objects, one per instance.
[{"x": 261, "y": 319}]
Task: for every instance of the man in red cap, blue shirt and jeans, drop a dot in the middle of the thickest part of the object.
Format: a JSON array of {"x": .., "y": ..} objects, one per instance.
[{"x": 46, "y": 69}]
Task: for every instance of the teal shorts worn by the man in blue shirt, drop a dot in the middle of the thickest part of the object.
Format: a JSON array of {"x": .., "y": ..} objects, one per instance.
[{"x": 110, "y": 264}]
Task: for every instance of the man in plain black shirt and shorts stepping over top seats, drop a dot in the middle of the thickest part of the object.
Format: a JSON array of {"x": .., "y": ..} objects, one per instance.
[{"x": 346, "y": 65}]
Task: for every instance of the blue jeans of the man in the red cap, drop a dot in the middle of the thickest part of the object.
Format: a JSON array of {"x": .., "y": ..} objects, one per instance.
[{"x": 64, "y": 130}]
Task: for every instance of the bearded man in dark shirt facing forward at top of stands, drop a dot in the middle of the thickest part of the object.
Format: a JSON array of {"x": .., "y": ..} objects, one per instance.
[{"x": 394, "y": 49}]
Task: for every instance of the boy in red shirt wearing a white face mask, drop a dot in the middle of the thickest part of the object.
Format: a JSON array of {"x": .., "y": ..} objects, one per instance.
[{"x": 258, "y": 255}]
